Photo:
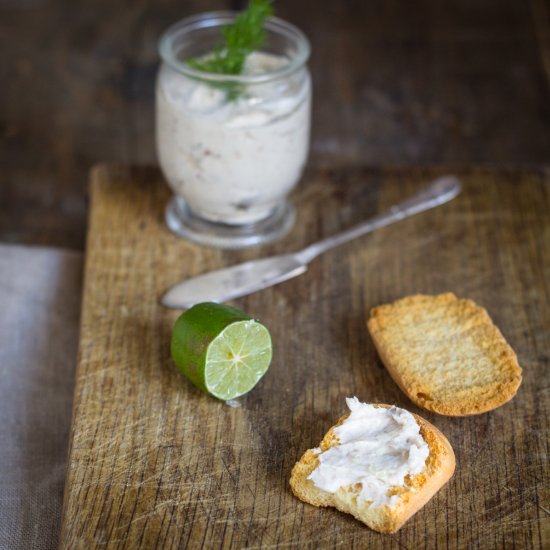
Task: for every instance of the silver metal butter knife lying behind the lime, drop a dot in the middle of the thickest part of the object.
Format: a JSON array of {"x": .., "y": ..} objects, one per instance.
[{"x": 242, "y": 279}]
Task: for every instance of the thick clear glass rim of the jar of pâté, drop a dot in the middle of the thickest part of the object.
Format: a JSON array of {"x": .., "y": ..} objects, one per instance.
[{"x": 218, "y": 19}]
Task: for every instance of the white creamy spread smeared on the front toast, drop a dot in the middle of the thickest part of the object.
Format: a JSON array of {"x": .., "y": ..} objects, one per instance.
[{"x": 378, "y": 448}]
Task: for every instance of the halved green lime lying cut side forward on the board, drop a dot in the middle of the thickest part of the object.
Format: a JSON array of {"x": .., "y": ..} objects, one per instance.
[{"x": 221, "y": 349}]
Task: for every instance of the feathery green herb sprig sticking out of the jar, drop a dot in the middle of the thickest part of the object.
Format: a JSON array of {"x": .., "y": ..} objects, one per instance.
[{"x": 244, "y": 36}]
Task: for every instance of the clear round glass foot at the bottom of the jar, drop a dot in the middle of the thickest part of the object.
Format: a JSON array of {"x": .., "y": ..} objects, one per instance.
[{"x": 184, "y": 223}]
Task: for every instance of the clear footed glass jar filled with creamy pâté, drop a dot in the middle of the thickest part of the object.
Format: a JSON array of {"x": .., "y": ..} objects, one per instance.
[{"x": 232, "y": 147}]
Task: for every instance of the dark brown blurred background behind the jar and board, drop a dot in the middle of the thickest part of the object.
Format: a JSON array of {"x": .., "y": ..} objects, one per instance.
[{"x": 454, "y": 82}]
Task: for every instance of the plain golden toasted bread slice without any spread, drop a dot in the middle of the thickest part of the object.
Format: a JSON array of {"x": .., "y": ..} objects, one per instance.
[{"x": 445, "y": 353}]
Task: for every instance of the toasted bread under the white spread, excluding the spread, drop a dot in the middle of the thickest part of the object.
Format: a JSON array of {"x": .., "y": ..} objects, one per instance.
[{"x": 418, "y": 490}]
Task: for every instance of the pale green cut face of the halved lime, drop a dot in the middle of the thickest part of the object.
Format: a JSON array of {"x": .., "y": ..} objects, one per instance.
[{"x": 237, "y": 358}]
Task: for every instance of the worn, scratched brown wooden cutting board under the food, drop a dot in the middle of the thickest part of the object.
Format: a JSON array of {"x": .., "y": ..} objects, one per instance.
[{"x": 154, "y": 463}]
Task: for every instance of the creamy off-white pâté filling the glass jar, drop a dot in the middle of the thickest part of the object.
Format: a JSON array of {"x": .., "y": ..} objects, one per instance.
[{"x": 234, "y": 161}]
